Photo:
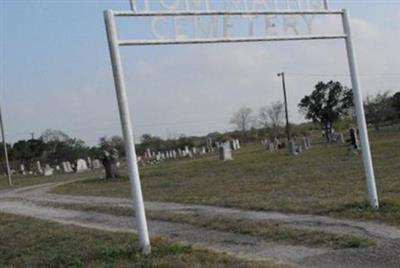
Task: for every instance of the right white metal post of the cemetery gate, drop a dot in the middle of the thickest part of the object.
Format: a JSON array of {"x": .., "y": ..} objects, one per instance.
[{"x": 361, "y": 122}]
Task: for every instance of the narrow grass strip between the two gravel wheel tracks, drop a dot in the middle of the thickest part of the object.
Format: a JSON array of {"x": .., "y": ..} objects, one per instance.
[{"x": 267, "y": 230}]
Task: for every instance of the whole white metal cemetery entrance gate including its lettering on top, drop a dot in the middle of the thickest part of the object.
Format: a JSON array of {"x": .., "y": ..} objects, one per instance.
[{"x": 200, "y": 9}]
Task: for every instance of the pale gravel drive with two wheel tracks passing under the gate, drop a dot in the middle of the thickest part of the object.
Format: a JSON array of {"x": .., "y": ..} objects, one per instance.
[{"x": 24, "y": 201}]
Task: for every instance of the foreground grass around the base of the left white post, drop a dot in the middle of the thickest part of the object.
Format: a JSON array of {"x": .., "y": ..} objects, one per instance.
[{"x": 27, "y": 242}]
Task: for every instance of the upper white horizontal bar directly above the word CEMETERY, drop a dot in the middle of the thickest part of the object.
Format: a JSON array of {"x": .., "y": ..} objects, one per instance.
[{"x": 223, "y": 12}]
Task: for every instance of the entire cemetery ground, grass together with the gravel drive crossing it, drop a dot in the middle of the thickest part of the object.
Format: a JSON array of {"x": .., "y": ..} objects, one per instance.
[{"x": 219, "y": 206}]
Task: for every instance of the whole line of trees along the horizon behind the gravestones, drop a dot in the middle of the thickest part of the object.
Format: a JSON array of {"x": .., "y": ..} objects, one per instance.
[{"x": 328, "y": 104}]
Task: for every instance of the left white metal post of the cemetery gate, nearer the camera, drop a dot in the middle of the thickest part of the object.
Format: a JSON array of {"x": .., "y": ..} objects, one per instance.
[{"x": 122, "y": 98}]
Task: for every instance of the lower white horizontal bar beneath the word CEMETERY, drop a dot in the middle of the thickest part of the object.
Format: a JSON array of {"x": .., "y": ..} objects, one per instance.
[{"x": 227, "y": 40}]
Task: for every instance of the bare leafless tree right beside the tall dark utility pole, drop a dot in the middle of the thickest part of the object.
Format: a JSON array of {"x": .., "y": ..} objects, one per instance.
[{"x": 272, "y": 117}]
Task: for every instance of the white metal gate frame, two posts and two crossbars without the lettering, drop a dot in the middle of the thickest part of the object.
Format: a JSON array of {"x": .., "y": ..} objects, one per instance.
[{"x": 127, "y": 129}]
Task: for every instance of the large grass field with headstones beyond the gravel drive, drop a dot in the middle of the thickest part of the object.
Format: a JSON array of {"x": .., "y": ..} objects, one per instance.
[{"x": 324, "y": 180}]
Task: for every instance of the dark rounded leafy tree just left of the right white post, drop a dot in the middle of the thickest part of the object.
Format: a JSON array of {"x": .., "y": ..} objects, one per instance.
[{"x": 326, "y": 104}]
